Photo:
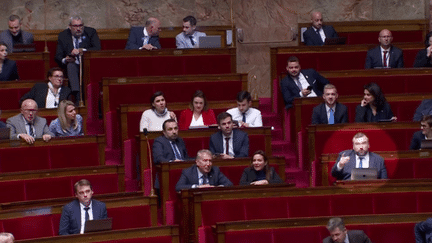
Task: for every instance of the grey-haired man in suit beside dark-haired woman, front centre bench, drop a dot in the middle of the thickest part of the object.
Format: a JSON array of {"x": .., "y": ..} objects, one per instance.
[{"x": 202, "y": 174}]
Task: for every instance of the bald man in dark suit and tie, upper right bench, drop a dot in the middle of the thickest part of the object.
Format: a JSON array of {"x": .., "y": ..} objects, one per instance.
[{"x": 385, "y": 55}]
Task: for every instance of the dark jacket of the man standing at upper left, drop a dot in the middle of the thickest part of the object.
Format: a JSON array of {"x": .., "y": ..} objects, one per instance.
[{"x": 90, "y": 41}]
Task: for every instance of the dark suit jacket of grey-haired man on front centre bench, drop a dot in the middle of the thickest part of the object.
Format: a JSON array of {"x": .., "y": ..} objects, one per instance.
[{"x": 189, "y": 177}]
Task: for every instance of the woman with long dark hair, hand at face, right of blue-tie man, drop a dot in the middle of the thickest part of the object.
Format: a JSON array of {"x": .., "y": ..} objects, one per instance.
[{"x": 374, "y": 106}]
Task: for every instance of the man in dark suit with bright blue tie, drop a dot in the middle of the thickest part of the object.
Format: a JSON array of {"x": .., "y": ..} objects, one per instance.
[{"x": 331, "y": 111}]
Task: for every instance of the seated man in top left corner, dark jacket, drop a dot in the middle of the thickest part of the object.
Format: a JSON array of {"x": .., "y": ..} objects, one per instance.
[{"x": 15, "y": 35}]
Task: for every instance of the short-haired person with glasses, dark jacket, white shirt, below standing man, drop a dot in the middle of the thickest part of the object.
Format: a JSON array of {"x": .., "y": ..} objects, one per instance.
[{"x": 48, "y": 95}]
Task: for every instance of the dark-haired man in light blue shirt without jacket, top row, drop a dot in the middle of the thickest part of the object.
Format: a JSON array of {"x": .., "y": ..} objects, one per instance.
[{"x": 189, "y": 38}]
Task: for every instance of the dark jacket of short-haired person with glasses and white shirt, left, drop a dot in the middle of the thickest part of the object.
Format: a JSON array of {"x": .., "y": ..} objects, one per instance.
[{"x": 39, "y": 93}]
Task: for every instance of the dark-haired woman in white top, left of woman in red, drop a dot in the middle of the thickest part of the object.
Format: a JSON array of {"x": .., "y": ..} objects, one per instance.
[{"x": 152, "y": 119}]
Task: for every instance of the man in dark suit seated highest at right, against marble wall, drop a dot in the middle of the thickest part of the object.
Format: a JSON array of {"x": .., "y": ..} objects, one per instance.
[{"x": 317, "y": 33}]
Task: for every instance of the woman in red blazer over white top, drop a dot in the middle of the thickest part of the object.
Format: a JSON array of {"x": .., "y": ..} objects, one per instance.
[{"x": 198, "y": 114}]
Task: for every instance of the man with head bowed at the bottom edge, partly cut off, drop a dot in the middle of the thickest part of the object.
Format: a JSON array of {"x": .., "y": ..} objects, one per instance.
[{"x": 338, "y": 233}]
